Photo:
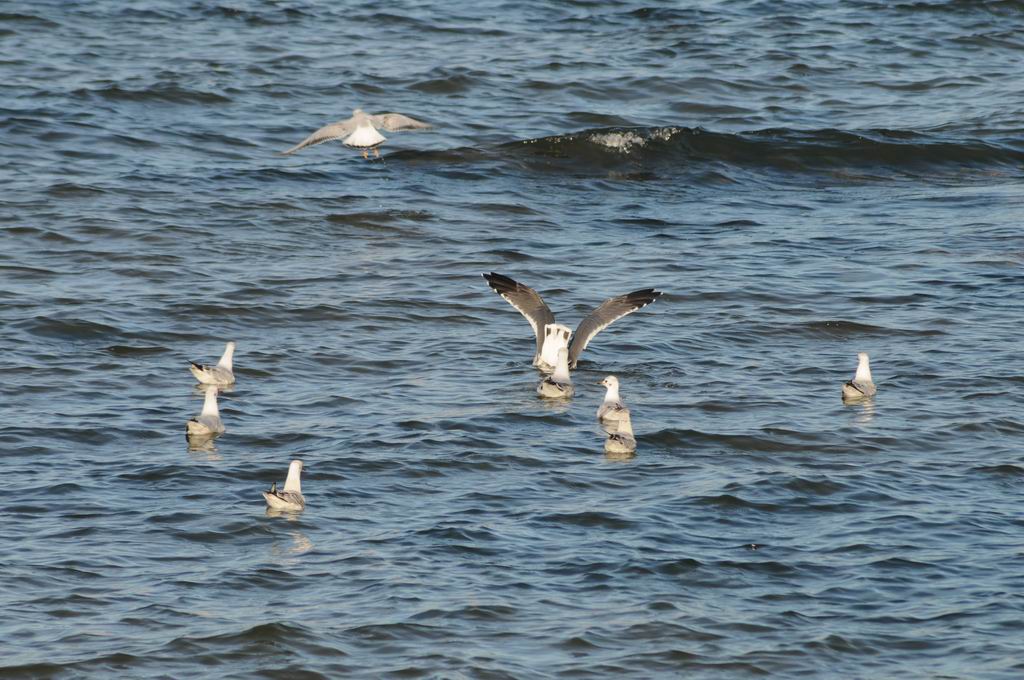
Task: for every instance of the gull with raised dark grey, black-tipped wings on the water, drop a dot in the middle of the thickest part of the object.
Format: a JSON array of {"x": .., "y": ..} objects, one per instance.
[{"x": 551, "y": 336}]
